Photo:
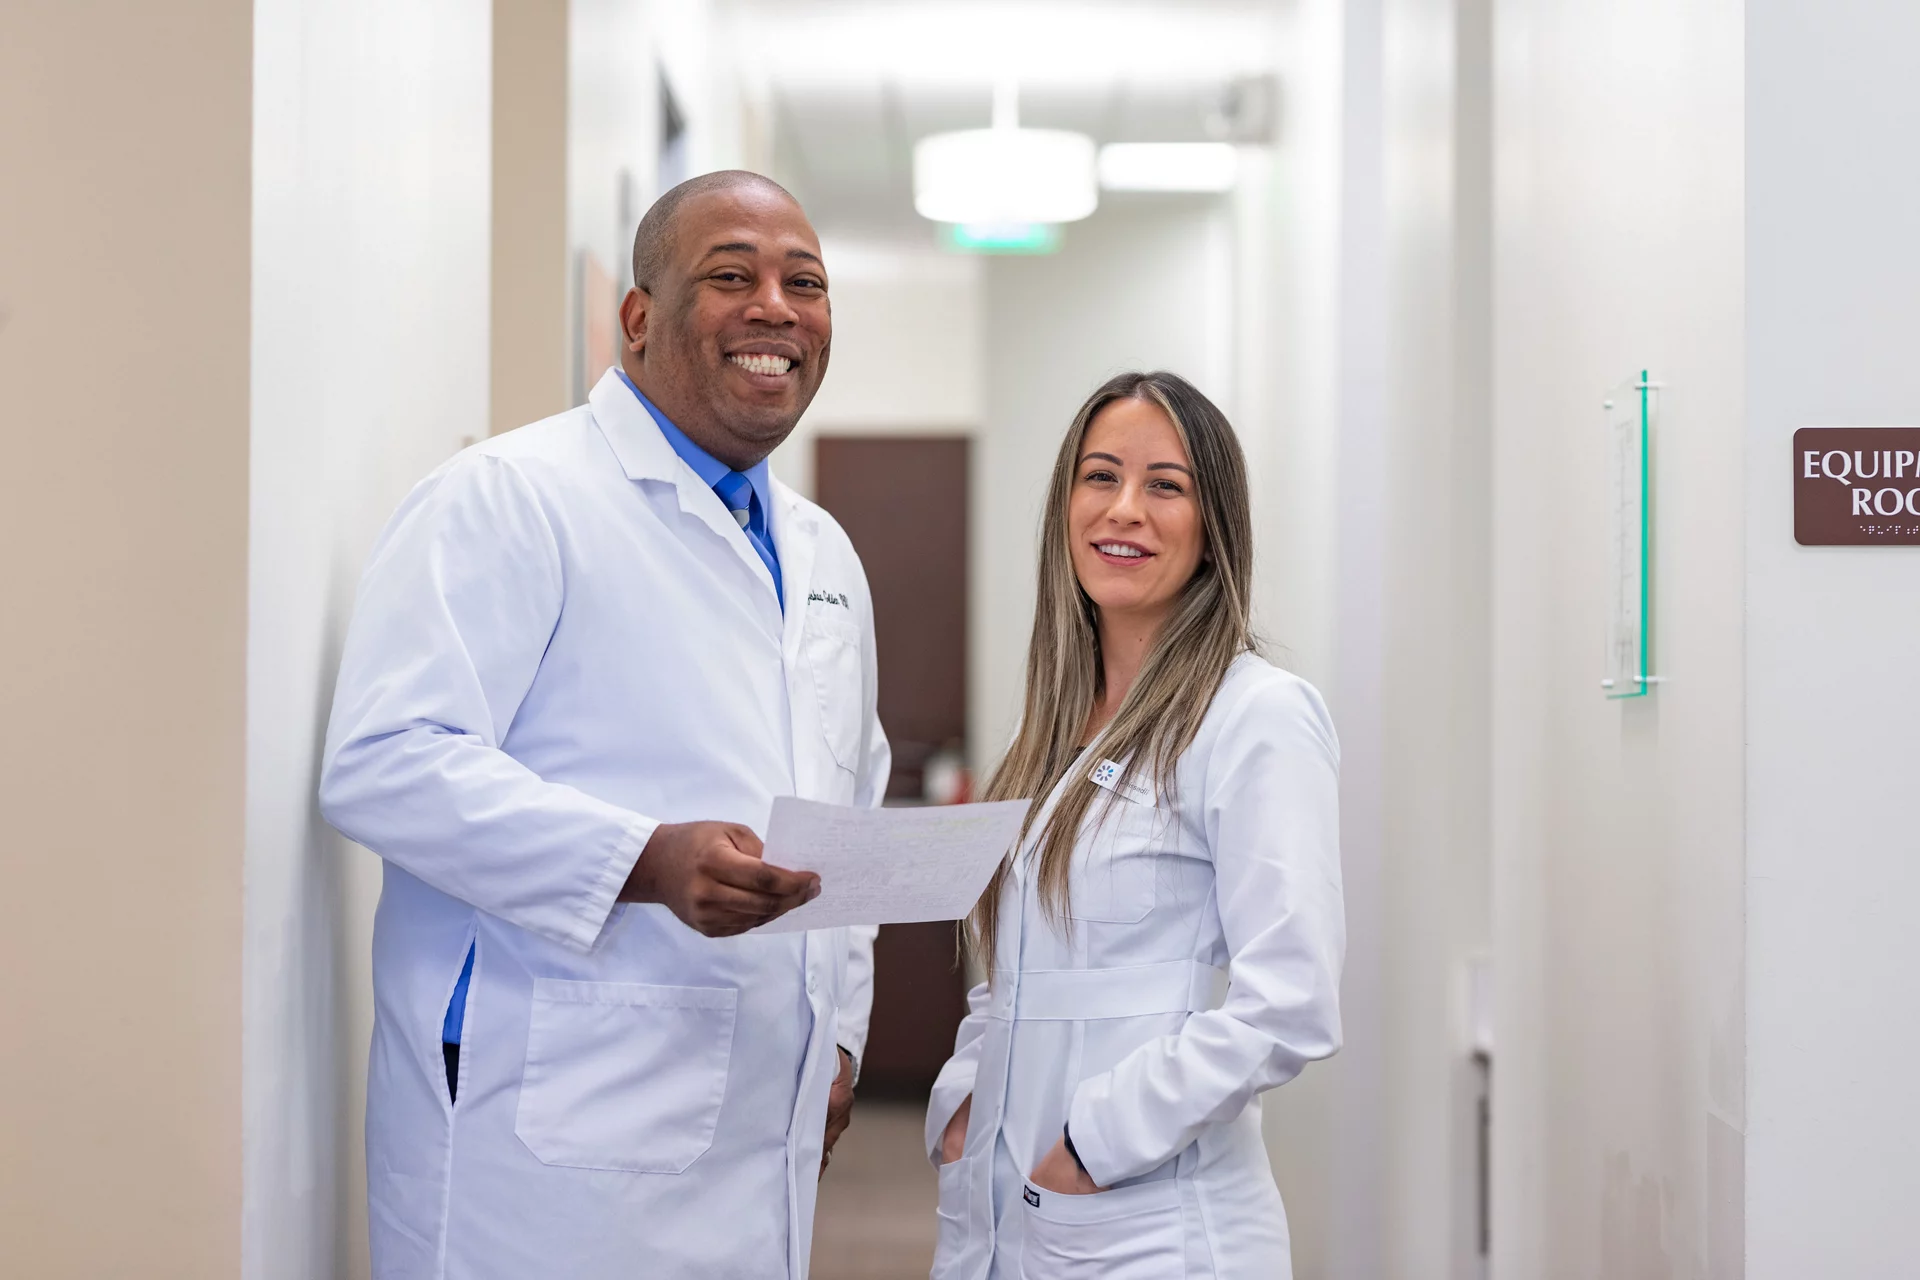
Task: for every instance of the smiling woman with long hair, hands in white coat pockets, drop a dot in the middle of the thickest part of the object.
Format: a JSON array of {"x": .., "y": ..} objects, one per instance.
[{"x": 1166, "y": 941}]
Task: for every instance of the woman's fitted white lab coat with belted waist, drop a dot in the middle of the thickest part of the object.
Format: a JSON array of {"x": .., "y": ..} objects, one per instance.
[{"x": 1116, "y": 1026}]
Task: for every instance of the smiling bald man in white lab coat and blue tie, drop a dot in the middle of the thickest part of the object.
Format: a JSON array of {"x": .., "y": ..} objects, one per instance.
[{"x": 585, "y": 659}]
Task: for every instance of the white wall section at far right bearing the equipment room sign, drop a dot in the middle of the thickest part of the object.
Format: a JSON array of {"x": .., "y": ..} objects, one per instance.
[{"x": 1833, "y": 684}]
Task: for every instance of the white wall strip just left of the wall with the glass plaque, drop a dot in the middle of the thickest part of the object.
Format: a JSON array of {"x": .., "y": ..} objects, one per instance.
[{"x": 1435, "y": 891}]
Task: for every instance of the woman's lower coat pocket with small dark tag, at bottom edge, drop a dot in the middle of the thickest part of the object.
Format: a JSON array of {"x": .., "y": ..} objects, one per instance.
[{"x": 1130, "y": 1233}]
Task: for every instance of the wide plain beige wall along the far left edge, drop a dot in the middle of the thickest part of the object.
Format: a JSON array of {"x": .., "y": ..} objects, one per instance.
[{"x": 124, "y": 506}]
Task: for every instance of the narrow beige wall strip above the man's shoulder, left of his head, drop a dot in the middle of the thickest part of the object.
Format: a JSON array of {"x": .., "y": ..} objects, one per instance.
[{"x": 531, "y": 373}]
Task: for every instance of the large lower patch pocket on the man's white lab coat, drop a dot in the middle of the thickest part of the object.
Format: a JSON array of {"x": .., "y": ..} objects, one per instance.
[{"x": 625, "y": 1078}]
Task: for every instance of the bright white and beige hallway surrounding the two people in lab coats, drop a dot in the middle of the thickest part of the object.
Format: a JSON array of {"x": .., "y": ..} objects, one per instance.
[{"x": 1518, "y": 310}]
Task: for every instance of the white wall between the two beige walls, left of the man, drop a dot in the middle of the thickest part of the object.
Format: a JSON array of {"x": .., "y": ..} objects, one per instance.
[{"x": 372, "y": 193}]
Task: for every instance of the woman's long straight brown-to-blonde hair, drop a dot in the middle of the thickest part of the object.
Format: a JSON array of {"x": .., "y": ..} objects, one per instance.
[{"x": 1209, "y": 628}]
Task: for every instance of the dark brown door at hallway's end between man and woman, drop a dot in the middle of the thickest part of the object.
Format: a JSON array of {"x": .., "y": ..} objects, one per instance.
[{"x": 903, "y": 502}]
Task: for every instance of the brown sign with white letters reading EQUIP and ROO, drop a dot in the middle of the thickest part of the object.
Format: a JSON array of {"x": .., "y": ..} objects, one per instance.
[{"x": 1858, "y": 486}]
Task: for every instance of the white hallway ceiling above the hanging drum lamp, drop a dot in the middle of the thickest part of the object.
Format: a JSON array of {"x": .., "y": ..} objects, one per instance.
[{"x": 853, "y": 85}]
